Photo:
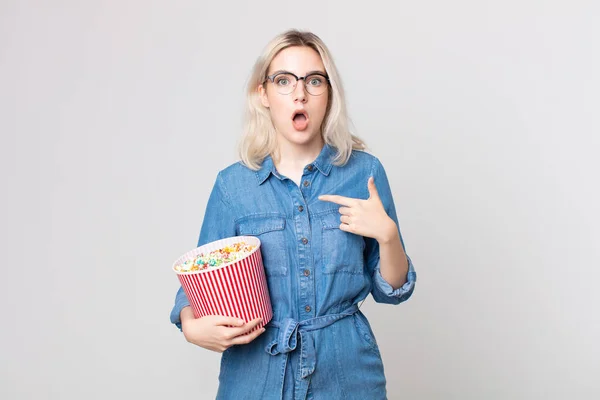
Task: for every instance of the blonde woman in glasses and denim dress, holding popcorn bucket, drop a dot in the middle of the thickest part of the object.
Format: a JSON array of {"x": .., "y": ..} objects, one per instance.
[{"x": 323, "y": 210}]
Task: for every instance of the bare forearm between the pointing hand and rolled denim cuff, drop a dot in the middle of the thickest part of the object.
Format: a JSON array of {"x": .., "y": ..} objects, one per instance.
[{"x": 392, "y": 259}]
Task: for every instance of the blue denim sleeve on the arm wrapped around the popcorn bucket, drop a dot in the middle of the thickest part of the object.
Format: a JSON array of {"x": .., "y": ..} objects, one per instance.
[{"x": 218, "y": 223}]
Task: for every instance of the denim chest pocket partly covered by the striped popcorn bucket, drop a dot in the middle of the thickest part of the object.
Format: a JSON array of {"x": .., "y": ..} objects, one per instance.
[{"x": 271, "y": 232}]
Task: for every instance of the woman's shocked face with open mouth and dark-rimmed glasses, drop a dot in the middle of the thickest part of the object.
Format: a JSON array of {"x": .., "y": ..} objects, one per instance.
[{"x": 296, "y": 130}]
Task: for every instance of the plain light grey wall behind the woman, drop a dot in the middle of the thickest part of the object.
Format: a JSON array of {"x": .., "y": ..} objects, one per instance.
[{"x": 115, "y": 117}]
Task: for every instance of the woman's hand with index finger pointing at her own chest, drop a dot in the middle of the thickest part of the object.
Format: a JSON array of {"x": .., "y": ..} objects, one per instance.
[{"x": 364, "y": 217}]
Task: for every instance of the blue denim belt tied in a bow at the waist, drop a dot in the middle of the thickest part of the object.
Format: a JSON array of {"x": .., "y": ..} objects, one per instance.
[{"x": 287, "y": 339}]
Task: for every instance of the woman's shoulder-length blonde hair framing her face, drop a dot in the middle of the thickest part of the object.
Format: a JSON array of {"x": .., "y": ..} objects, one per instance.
[{"x": 259, "y": 138}]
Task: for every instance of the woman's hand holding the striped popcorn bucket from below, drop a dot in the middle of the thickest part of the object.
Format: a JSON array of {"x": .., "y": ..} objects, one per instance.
[{"x": 212, "y": 332}]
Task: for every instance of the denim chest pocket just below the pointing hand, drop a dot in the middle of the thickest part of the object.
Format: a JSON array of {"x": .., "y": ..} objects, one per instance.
[{"x": 341, "y": 251}]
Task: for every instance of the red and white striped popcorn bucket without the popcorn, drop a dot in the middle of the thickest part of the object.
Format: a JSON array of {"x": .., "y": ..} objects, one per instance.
[{"x": 235, "y": 290}]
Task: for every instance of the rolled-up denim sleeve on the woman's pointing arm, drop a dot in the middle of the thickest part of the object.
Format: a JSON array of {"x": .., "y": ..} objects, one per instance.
[{"x": 381, "y": 290}]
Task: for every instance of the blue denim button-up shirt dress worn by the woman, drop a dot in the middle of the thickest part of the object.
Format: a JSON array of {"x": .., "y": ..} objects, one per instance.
[{"x": 318, "y": 344}]
